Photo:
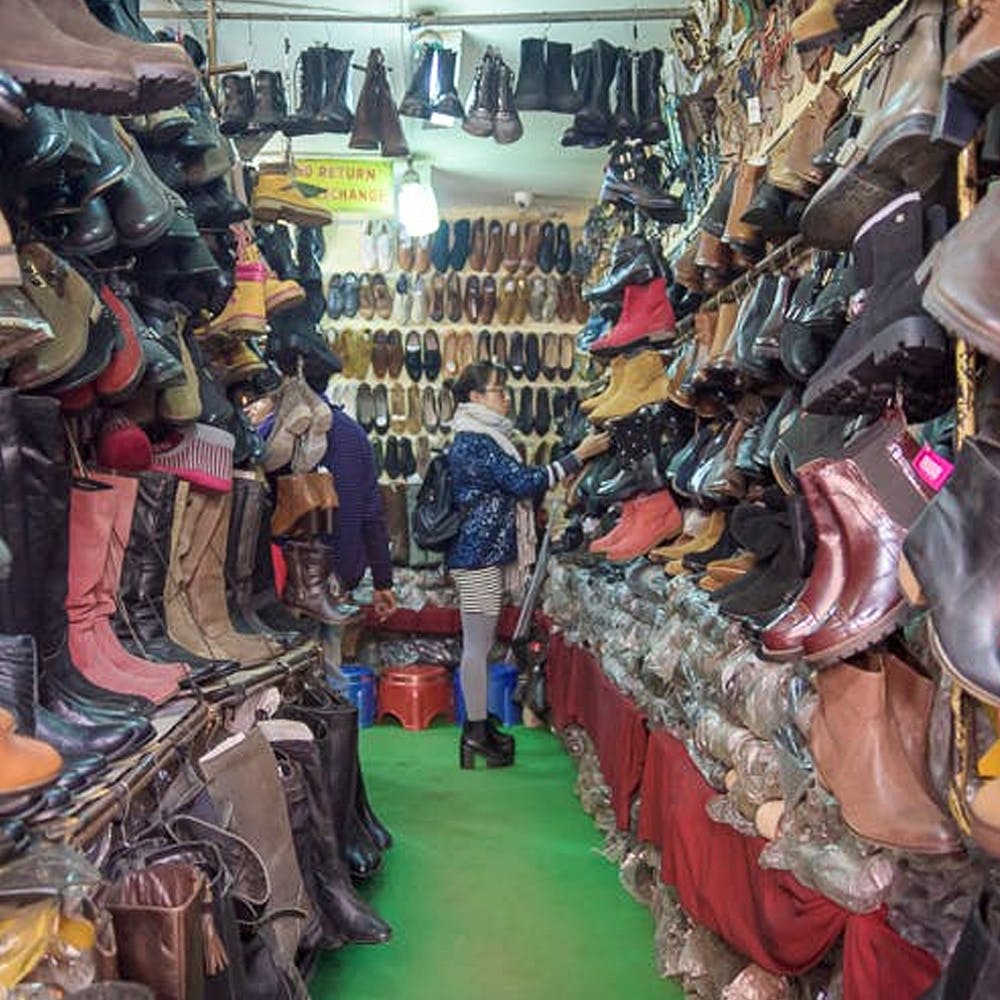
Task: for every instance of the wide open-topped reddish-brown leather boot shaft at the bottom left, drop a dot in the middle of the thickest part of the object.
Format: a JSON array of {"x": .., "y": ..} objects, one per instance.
[{"x": 158, "y": 927}]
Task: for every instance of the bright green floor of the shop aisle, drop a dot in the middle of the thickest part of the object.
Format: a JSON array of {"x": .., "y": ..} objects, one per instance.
[{"x": 495, "y": 887}]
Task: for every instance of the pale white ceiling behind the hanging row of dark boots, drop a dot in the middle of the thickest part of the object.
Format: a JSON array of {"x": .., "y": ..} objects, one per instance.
[{"x": 465, "y": 170}]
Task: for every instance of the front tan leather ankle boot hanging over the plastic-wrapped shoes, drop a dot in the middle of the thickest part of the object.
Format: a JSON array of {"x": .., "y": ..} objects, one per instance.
[{"x": 855, "y": 739}]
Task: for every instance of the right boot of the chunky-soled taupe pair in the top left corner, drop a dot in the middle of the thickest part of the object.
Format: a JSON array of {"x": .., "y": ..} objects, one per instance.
[{"x": 164, "y": 71}]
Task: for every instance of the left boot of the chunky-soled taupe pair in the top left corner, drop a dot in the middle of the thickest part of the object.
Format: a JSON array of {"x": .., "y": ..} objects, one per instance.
[{"x": 60, "y": 69}]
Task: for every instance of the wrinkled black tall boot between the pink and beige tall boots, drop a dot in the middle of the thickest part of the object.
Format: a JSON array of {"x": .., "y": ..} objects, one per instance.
[{"x": 140, "y": 621}]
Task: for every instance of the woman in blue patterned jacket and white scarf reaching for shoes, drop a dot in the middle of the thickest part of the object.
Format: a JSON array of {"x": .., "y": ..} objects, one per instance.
[{"x": 495, "y": 546}]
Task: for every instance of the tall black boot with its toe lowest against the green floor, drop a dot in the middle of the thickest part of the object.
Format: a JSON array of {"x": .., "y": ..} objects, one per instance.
[{"x": 346, "y": 918}]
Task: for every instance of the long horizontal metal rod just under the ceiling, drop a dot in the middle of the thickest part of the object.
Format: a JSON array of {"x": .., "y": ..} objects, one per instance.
[{"x": 428, "y": 20}]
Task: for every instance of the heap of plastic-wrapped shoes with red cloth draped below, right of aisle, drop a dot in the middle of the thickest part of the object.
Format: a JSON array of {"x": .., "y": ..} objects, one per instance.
[{"x": 741, "y": 734}]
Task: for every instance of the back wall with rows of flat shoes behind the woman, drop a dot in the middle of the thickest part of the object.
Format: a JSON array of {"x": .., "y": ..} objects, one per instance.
[{"x": 407, "y": 315}]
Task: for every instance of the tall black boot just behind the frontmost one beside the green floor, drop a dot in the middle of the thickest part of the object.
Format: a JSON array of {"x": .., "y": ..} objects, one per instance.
[{"x": 334, "y": 722}]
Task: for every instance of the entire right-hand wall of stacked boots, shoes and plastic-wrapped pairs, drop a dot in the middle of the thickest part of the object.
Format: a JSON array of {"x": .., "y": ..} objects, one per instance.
[{"x": 780, "y": 475}]
